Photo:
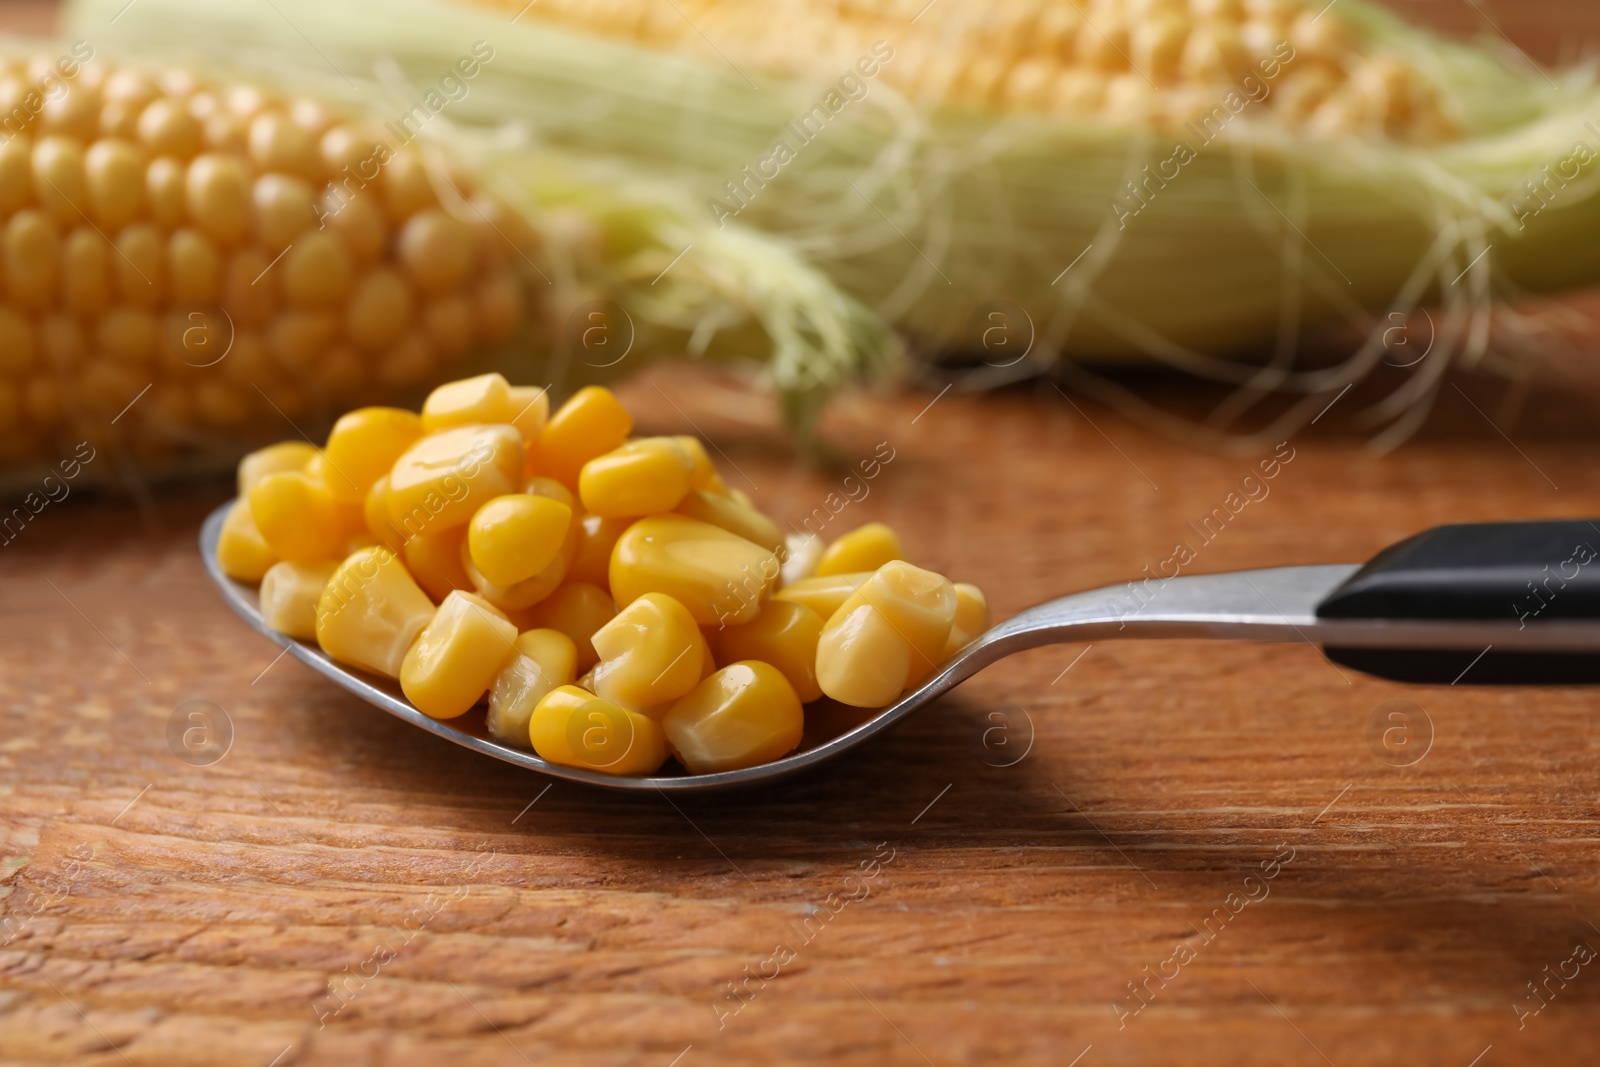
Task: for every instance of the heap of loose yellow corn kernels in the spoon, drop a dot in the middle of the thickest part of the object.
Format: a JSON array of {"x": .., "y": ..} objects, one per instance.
[{"x": 610, "y": 597}]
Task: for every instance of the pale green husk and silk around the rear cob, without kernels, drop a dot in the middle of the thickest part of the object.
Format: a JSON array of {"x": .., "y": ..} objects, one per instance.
[{"x": 930, "y": 218}]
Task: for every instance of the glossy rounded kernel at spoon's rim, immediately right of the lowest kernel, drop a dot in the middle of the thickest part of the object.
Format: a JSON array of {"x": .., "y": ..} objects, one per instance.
[{"x": 743, "y": 716}]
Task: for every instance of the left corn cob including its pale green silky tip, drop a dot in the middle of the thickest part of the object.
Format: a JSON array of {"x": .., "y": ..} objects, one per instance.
[{"x": 190, "y": 266}]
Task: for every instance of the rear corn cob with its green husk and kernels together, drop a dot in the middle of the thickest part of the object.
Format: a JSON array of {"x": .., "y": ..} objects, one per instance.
[{"x": 1138, "y": 178}]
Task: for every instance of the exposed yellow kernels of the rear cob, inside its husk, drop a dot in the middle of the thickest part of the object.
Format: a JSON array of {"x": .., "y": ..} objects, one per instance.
[{"x": 1166, "y": 62}]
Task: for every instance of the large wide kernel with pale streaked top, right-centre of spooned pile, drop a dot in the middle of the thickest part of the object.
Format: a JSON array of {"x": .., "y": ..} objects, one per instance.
[{"x": 718, "y": 575}]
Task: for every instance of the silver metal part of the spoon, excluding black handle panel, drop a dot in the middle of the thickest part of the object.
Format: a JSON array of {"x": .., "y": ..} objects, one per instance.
[{"x": 1265, "y": 605}]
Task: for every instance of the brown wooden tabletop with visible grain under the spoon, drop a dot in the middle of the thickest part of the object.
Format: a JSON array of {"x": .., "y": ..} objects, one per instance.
[{"x": 986, "y": 885}]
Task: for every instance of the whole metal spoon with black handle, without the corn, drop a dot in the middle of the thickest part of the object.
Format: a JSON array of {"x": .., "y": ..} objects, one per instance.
[{"x": 1479, "y": 605}]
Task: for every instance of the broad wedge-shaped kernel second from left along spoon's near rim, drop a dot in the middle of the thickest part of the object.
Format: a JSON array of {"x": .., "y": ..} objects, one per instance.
[{"x": 372, "y": 612}]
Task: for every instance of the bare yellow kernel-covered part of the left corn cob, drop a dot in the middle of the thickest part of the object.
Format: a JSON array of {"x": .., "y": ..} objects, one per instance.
[{"x": 178, "y": 255}]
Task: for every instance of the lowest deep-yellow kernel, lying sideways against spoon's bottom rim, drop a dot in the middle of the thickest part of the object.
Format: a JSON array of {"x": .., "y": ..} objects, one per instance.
[{"x": 577, "y": 729}]
